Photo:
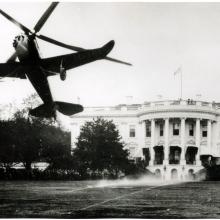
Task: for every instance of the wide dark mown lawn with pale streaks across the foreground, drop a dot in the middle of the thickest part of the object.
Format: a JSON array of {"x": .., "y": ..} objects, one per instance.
[{"x": 83, "y": 199}]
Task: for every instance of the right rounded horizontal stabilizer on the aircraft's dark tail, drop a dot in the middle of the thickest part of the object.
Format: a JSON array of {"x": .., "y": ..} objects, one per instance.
[{"x": 68, "y": 108}]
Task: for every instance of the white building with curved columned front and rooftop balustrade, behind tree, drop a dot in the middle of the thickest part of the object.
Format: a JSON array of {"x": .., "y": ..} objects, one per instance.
[{"x": 176, "y": 137}]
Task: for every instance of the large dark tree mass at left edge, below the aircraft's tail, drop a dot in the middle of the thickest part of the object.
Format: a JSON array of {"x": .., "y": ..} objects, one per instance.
[{"x": 25, "y": 139}]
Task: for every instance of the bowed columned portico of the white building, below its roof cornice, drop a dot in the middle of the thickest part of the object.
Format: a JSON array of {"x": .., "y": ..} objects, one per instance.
[{"x": 174, "y": 152}]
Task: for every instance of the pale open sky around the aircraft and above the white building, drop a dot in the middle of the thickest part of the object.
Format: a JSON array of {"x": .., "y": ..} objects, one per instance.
[{"x": 157, "y": 38}]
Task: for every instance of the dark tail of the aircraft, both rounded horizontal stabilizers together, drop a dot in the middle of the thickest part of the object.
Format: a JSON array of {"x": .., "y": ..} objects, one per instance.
[{"x": 48, "y": 111}]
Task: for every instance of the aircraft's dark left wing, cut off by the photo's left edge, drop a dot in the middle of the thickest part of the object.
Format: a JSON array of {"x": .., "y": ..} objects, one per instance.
[{"x": 15, "y": 70}]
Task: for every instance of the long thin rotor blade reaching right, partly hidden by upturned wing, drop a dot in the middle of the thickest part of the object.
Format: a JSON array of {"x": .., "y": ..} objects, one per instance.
[{"x": 78, "y": 49}]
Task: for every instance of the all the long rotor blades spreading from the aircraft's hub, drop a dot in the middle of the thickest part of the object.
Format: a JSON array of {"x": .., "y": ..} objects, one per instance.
[{"x": 38, "y": 27}]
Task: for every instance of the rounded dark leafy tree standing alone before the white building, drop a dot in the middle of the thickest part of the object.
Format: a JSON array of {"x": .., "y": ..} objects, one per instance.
[{"x": 99, "y": 148}]
